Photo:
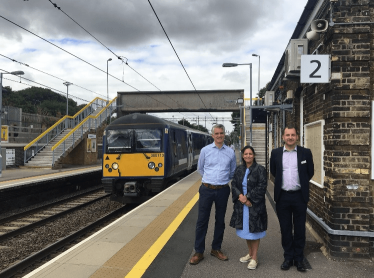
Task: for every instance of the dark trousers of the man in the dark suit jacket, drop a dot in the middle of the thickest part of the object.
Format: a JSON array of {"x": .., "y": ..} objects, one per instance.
[{"x": 291, "y": 211}]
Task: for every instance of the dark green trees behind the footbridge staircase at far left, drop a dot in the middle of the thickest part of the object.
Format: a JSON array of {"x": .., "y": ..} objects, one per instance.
[{"x": 37, "y": 100}]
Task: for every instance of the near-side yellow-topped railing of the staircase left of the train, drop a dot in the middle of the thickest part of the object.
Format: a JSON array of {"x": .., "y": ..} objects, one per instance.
[{"x": 91, "y": 122}]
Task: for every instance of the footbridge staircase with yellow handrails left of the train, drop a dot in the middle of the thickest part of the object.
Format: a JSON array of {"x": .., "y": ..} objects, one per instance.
[{"x": 60, "y": 139}]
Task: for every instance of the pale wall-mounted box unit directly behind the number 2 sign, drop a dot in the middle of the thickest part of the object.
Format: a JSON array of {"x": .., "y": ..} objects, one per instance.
[{"x": 294, "y": 50}]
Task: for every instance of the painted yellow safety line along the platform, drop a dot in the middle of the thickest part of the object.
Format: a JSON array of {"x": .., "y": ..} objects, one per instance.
[{"x": 143, "y": 264}]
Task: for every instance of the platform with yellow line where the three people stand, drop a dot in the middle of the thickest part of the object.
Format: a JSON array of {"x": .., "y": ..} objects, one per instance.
[{"x": 156, "y": 239}]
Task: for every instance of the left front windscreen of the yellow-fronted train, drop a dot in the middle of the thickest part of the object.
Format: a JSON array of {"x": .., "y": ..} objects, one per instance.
[{"x": 119, "y": 141}]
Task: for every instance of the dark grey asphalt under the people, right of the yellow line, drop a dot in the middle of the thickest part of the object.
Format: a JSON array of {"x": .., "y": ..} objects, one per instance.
[{"x": 173, "y": 260}]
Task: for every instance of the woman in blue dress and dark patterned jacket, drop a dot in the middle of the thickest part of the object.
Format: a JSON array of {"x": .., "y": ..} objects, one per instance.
[{"x": 248, "y": 194}]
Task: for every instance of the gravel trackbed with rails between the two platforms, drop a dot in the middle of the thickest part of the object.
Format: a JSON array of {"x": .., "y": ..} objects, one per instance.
[{"x": 29, "y": 237}]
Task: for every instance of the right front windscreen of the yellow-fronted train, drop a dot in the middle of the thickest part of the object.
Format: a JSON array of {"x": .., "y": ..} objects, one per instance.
[{"x": 147, "y": 140}]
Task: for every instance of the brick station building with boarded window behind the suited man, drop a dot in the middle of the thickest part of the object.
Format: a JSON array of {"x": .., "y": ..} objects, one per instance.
[{"x": 336, "y": 121}]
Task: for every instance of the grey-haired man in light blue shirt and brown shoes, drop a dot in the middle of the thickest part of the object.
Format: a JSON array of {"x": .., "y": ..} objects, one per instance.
[{"x": 216, "y": 165}]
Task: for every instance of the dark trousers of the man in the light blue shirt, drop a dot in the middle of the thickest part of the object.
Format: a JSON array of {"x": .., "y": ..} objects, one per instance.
[{"x": 206, "y": 199}]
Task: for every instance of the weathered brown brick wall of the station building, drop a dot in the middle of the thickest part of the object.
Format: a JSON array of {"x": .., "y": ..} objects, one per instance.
[{"x": 346, "y": 200}]
